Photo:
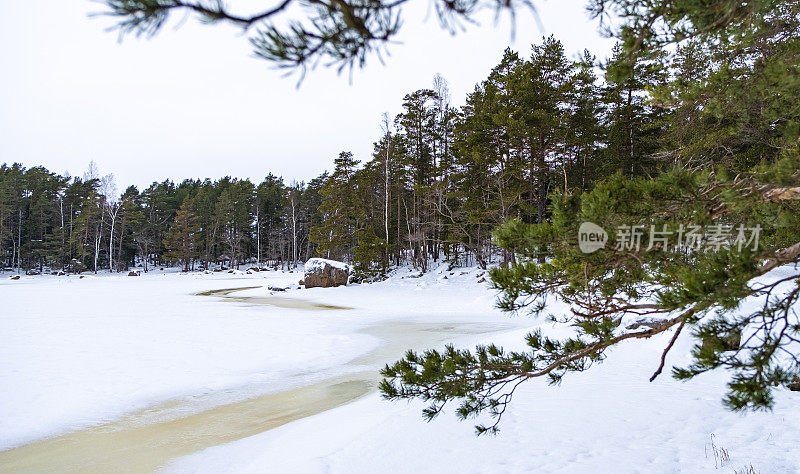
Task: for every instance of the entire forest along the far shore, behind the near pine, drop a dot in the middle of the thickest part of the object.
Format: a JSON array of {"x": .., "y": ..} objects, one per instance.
[{"x": 440, "y": 180}]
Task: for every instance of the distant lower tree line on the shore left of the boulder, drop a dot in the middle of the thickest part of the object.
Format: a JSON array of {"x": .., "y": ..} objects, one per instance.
[{"x": 82, "y": 223}]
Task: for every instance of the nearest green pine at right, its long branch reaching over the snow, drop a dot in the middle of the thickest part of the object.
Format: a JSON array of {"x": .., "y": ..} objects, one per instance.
[{"x": 625, "y": 292}]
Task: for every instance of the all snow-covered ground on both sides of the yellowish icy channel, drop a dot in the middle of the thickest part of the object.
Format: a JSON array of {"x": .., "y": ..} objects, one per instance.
[{"x": 79, "y": 352}]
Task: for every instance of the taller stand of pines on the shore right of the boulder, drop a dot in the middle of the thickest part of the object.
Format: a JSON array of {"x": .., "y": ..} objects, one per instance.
[{"x": 442, "y": 178}]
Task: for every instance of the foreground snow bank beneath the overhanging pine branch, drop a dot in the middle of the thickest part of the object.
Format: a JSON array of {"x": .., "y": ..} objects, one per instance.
[{"x": 608, "y": 419}]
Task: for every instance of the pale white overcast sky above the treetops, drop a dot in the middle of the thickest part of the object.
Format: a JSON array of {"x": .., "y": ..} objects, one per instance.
[{"x": 193, "y": 102}]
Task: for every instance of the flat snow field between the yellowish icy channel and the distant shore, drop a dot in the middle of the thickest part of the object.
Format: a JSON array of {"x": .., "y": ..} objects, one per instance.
[{"x": 77, "y": 352}]
